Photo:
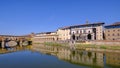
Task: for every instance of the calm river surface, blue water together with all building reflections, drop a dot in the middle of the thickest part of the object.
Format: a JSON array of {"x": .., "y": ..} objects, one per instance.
[{"x": 56, "y": 57}]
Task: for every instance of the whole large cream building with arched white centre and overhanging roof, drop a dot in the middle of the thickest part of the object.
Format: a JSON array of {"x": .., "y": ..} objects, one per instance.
[{"x": 82, "y": 32}]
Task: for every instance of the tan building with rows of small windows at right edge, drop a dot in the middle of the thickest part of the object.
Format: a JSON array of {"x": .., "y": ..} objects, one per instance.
[{"x": 112, "y": 32}]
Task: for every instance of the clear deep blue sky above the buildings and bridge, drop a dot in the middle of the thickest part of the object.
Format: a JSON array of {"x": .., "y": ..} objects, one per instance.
[{"x": 21, "y": 17}]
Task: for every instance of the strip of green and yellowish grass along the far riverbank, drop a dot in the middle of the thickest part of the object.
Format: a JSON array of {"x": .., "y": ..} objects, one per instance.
[{"x": 83, "y": 46}]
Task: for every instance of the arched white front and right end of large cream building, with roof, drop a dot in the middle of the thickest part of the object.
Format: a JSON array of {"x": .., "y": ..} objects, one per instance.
[{"x": 87, "y": 31}]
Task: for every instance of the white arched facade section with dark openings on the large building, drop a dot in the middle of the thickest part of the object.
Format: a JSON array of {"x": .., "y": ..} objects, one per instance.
[{"x": 83, "y": 34}]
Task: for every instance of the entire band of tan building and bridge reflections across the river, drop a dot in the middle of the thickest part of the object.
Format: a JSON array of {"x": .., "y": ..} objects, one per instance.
[{"x": 77, "y": 57}]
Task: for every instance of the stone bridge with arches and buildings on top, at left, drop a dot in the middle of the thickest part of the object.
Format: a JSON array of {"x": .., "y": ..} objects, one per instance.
[{"x": 10, "y": 40}]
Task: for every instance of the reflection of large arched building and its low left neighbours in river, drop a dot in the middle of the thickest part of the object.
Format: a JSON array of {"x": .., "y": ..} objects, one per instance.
[{"x": 80, "y": 57}]
